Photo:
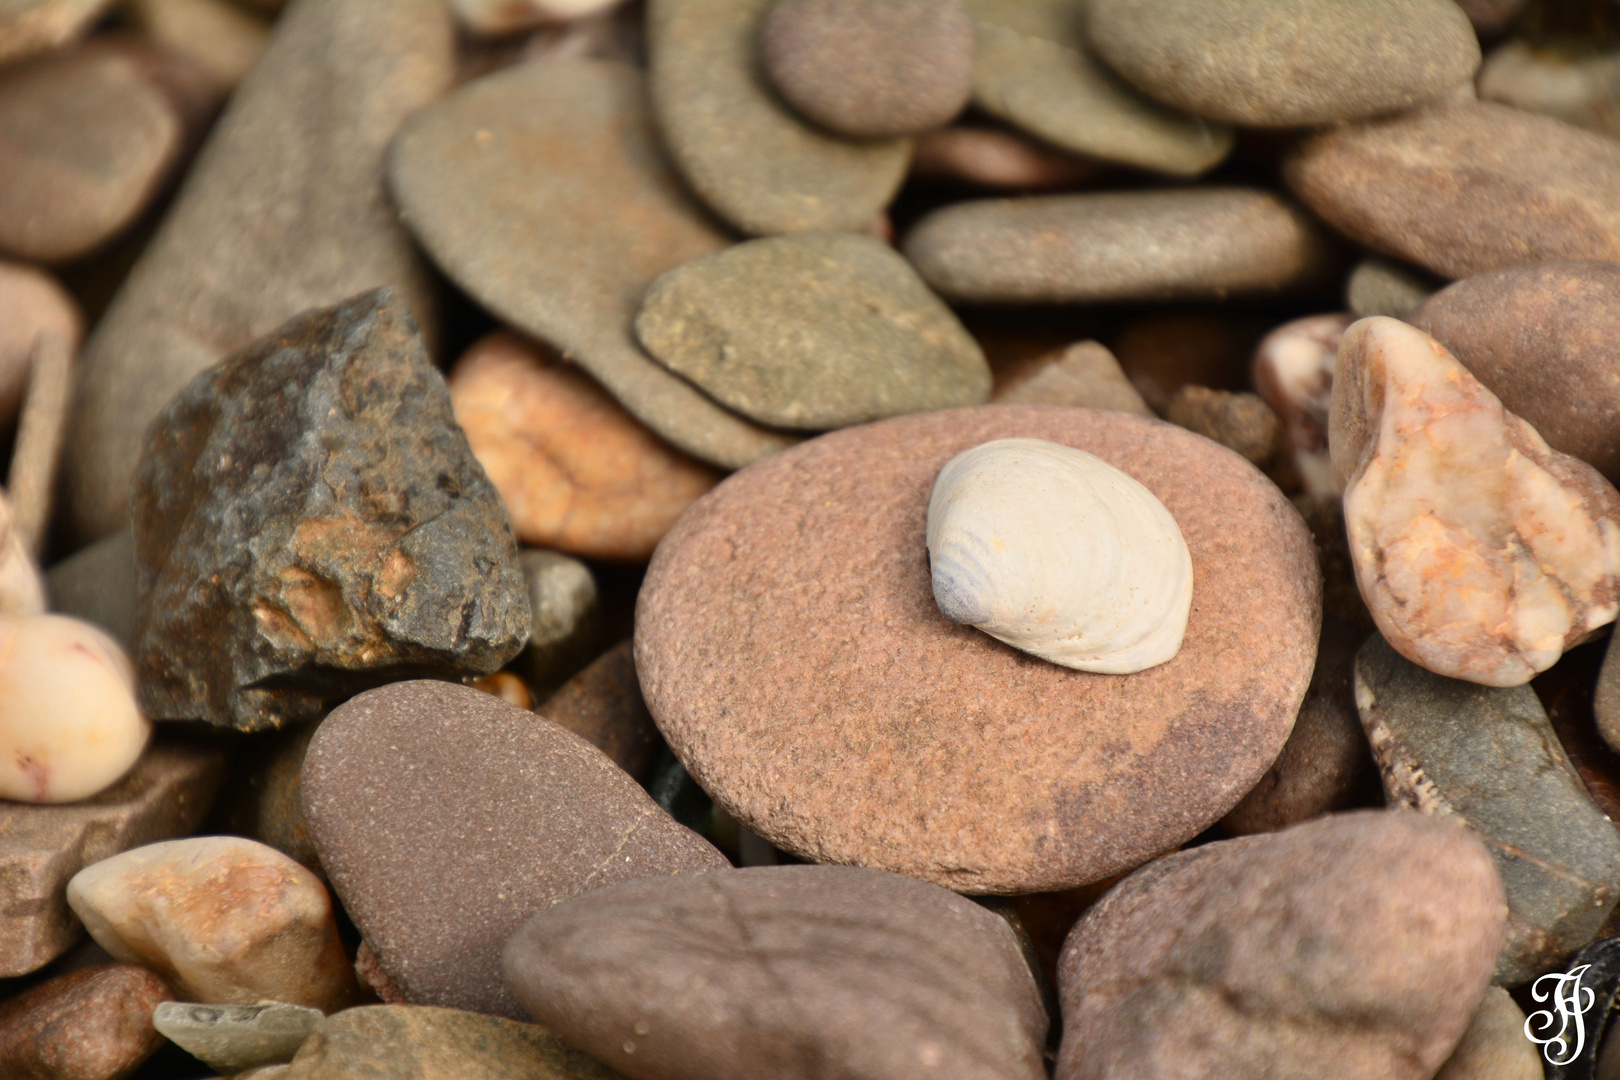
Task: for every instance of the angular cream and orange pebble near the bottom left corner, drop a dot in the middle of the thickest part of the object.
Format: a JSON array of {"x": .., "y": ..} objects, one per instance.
[{"x": 228, "y": 921}]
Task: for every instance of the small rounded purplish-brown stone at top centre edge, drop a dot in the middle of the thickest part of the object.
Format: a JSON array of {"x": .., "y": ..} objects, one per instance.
[{"x": 871, "y": 70}]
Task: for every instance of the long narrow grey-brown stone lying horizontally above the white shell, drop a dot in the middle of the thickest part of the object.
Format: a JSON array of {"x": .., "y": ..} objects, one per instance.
[{"x": 1132, "y": 245}]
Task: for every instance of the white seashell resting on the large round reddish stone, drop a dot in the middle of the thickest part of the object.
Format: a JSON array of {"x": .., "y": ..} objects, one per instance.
[{"x": 1059, "y": 555}]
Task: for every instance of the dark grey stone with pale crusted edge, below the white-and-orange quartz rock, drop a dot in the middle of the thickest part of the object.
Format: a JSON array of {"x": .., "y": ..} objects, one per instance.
[{"x": 1490, "y": 759}]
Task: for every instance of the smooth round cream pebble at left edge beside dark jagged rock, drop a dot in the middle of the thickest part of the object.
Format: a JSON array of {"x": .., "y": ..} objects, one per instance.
[{"x": 69, "y": 721}]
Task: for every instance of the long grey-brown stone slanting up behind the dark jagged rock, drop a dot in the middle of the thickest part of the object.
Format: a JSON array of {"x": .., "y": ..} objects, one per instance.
[{"x": 291, "y": 172}]
